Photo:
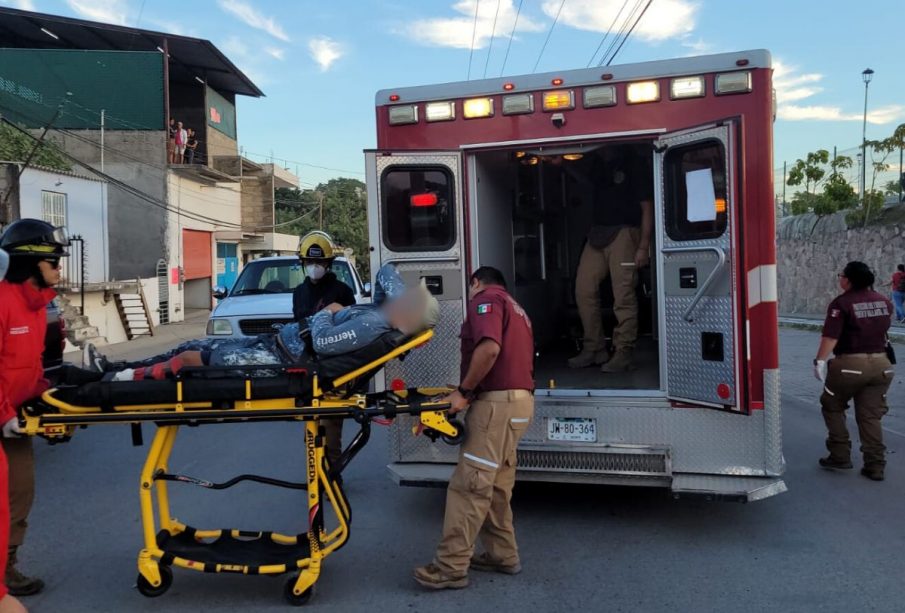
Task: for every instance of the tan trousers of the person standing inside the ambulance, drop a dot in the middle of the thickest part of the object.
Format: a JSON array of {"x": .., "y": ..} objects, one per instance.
[{"x": 617, "y": 261}]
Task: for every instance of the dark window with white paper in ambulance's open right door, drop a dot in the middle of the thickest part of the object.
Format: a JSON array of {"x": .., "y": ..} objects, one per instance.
[{"x": 696, "y": 191}]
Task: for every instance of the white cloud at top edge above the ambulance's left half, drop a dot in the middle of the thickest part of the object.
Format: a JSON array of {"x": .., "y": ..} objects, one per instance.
[{"x": 457, "y": 32}]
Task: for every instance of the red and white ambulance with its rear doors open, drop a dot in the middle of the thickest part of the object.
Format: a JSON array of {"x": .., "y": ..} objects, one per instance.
[{"x": 489, "y": 172}]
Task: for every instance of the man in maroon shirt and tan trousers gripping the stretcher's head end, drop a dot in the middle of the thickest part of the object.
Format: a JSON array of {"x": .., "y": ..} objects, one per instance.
[{"x": 498, "y": 384}]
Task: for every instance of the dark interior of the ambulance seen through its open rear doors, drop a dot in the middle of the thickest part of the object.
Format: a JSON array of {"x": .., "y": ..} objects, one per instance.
[{"x": 533, "y": 209}]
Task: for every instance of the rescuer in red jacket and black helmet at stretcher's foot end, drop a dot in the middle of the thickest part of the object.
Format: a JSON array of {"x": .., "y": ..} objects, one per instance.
[{"x": 35, "y": 248}]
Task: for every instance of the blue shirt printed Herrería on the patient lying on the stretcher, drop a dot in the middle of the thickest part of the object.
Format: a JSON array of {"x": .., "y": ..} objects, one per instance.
[{"x": 356, "y": 326}]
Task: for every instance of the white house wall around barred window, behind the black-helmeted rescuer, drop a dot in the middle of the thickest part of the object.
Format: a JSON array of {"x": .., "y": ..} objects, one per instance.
[{"x": 86, "y": 204}]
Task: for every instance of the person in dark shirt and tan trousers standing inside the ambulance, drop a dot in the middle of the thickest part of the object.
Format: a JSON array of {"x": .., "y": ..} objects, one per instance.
[{"x": 618, "y": 246}]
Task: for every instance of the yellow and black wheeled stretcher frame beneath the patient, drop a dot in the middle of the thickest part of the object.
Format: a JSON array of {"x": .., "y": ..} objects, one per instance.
[{"x": 57, "y": 420}]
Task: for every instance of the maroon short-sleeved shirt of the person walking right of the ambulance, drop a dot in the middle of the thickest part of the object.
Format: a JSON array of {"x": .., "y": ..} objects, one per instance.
[{"x": 859, "y": 320}]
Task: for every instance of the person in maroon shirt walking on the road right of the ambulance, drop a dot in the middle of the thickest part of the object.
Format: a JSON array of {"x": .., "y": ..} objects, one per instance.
[{"x": 855, "y": 330}]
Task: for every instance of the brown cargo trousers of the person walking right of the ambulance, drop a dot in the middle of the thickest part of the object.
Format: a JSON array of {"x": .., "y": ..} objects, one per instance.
[{"x": 866, "y": 379}]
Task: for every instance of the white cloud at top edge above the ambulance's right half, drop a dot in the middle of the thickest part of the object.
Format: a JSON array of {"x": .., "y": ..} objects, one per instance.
[{"x": 665, "y": 19}]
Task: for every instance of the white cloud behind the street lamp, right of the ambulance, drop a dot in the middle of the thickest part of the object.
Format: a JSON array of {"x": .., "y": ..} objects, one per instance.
[{"x": 793, "y": 86}]
